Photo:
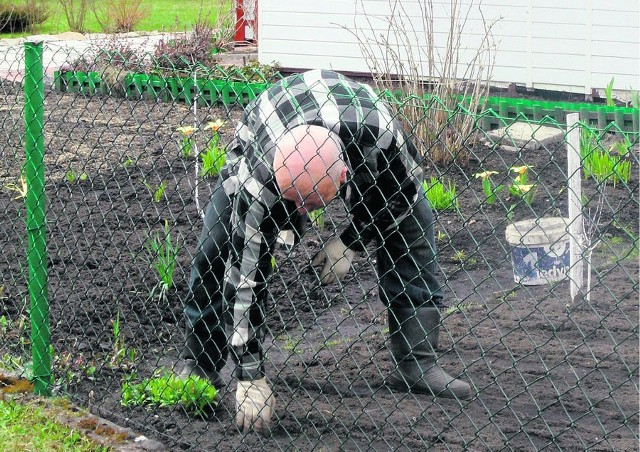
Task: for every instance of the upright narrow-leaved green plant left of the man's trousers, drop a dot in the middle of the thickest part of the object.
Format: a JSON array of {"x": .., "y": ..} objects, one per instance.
[{"x": 163, "y": 255}]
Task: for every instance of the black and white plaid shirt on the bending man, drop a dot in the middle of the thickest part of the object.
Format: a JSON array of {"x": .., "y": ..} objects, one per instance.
[{"x": 384, "y": 180}]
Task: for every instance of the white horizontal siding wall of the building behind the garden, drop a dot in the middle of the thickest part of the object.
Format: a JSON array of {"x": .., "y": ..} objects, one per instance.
[{"x": 563, "y": 45}]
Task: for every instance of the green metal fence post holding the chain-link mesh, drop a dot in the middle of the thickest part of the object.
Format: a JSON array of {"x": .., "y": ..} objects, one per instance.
[{"x": 36, "y": 221}]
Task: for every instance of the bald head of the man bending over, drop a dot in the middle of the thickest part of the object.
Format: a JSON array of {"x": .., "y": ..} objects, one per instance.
[{"x": 308, "y": 166}]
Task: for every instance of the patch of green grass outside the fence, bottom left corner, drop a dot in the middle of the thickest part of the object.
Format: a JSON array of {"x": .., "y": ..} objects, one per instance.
[{"x": 31, "y": 426}]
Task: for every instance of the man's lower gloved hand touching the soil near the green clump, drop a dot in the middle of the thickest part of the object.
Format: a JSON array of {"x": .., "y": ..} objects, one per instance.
[{"x": 255, "y": 404}]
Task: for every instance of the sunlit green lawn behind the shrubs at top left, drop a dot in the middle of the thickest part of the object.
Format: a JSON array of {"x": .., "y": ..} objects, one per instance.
[{"x": 164, "y": 15}]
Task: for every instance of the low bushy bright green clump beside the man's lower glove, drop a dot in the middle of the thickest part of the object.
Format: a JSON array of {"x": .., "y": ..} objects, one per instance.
[{"x": 195, "y": 394}]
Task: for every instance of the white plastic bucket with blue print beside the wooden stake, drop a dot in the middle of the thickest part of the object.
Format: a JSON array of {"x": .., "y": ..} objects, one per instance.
[{"x": 540, "y": 252}]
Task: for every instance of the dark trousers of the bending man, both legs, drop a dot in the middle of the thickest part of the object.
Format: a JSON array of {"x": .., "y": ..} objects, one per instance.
[{"x": 406, "y": 267}]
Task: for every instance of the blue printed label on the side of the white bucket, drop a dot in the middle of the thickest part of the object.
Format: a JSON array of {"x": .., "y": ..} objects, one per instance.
[{"x": 535, "y": 265}]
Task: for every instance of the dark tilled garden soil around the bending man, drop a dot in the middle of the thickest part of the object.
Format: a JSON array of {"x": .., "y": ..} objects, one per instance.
[{"x": 547, "y": 372}]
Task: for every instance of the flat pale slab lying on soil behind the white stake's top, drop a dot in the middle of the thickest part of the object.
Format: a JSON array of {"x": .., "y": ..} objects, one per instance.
[{"x": 523, "y": 135}]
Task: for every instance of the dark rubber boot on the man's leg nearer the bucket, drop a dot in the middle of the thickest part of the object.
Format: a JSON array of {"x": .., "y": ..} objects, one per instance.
[{"x": 413, "y": 343}]
